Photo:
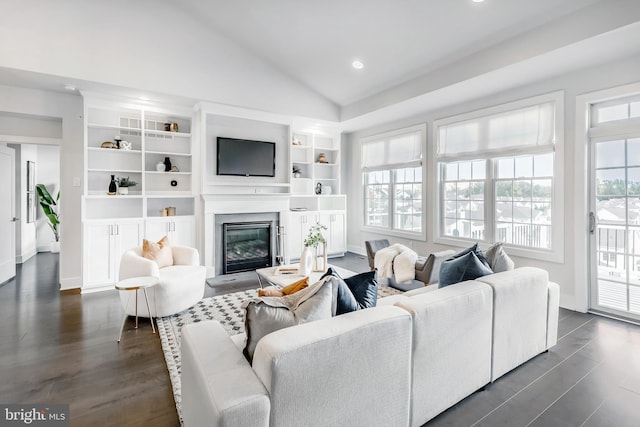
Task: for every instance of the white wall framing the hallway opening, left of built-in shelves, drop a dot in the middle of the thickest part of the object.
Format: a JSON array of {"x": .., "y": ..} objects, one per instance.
[{"x": 69, "y": 109}]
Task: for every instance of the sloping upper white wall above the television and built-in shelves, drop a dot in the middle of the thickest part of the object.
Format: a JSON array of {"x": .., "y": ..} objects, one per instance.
[{"x": 147, "y": 45}]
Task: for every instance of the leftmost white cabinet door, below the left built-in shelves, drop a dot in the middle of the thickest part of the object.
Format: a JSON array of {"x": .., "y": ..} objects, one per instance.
[{"x": 99, "y": 254}]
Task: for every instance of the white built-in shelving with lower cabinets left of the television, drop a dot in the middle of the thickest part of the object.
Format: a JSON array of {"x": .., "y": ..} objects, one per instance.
[{"x": 117, "y": 222}]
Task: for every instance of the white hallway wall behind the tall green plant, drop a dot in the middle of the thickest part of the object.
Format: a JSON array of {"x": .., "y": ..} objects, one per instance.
[{"x": 47, "y": 173}]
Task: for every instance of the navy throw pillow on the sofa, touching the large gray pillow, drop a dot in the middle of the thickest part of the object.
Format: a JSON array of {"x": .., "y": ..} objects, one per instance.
[{"x": 356, "y": 292}]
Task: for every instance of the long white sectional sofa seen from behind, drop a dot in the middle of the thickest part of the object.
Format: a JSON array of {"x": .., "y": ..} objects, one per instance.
[{"x": 400, "y": 364}]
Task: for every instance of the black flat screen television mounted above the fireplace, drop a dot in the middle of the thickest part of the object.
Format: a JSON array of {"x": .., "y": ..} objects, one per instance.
[{"x": 244, "y": 157}]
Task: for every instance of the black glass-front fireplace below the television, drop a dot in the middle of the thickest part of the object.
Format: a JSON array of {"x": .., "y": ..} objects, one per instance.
[{"x": 246, "y": 246}]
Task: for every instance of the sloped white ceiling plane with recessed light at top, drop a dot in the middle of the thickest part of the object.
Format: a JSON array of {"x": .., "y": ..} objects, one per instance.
[{"x": 315, "y": 41}]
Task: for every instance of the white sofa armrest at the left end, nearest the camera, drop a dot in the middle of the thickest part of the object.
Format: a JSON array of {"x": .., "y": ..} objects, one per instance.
[{"x": 219, "y": 388}]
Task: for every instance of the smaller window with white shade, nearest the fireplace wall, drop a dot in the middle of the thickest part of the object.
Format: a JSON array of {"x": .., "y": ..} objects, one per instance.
[{"x": 392, "y": 178}]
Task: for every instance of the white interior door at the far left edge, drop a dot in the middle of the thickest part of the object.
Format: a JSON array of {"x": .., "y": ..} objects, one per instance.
[{"x": 7, "y": 214}]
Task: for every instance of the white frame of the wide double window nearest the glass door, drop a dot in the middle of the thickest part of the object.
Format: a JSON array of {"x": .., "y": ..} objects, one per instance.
[{"x": 556, "y": 253}]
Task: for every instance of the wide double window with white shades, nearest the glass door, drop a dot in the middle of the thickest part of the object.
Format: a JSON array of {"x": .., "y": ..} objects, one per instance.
[{"x": 497, "y": 176}]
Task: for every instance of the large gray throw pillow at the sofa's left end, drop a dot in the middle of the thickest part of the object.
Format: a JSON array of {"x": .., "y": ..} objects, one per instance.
[{"x": 268, "y": 314}]
